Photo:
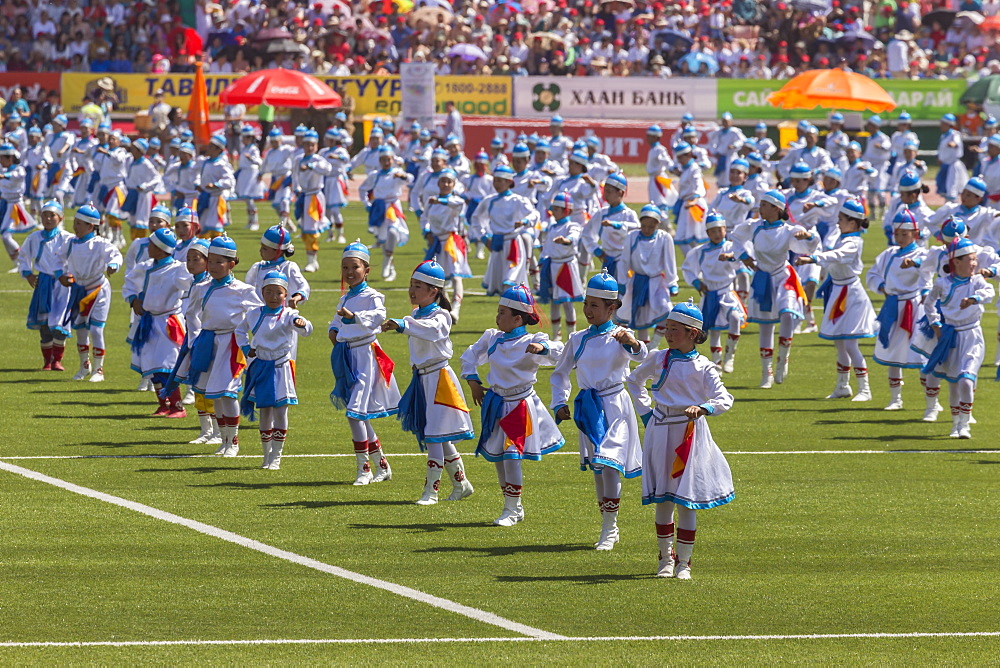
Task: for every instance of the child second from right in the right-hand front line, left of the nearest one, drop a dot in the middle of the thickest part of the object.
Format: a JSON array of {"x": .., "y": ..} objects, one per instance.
[{"x": 896, "y": 274}]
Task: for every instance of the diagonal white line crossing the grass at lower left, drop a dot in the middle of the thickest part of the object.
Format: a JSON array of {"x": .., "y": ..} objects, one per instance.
[{"x": 208, "y": 530}]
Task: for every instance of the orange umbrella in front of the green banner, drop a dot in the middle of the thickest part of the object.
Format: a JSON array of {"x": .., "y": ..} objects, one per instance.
[{"x": 832, "y": 89}]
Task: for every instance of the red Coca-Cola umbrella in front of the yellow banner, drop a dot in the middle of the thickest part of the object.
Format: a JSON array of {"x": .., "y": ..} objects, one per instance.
[{"x": 281, "y": 88}]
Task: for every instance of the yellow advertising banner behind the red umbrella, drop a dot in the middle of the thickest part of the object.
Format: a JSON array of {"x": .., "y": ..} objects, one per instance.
[{"x": 473, "y": 96}]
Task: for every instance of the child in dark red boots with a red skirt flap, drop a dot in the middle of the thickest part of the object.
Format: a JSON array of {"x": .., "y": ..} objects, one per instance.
[{"x": 154, "y": 288}]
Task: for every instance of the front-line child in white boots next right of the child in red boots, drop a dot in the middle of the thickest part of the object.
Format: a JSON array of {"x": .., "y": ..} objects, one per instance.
[{"x": 216, "y": 362}]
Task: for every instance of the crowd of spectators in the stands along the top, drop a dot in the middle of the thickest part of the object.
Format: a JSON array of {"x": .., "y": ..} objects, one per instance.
[{"x": 665, "y": 38}]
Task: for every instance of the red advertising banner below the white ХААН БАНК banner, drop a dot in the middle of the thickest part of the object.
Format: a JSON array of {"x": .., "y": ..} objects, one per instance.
[{"x": 622, "y": 141}]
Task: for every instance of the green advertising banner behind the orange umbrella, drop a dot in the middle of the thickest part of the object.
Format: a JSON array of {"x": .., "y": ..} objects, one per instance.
[{"x": 926, "y": 99}]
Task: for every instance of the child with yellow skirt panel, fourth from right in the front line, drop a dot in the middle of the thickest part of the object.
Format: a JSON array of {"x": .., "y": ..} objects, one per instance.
[{"x": 443, "y": 420}]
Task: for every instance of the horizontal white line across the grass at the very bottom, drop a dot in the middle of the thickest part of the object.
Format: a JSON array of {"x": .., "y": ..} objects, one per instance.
[{"x": 404, "y": 641}]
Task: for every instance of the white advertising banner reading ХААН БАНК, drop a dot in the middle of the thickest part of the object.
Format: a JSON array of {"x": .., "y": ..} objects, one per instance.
[{"x": 614, "y": 97}]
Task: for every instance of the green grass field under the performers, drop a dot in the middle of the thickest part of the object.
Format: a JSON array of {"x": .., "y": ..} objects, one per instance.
[{"x": 887, "y": 532}]
